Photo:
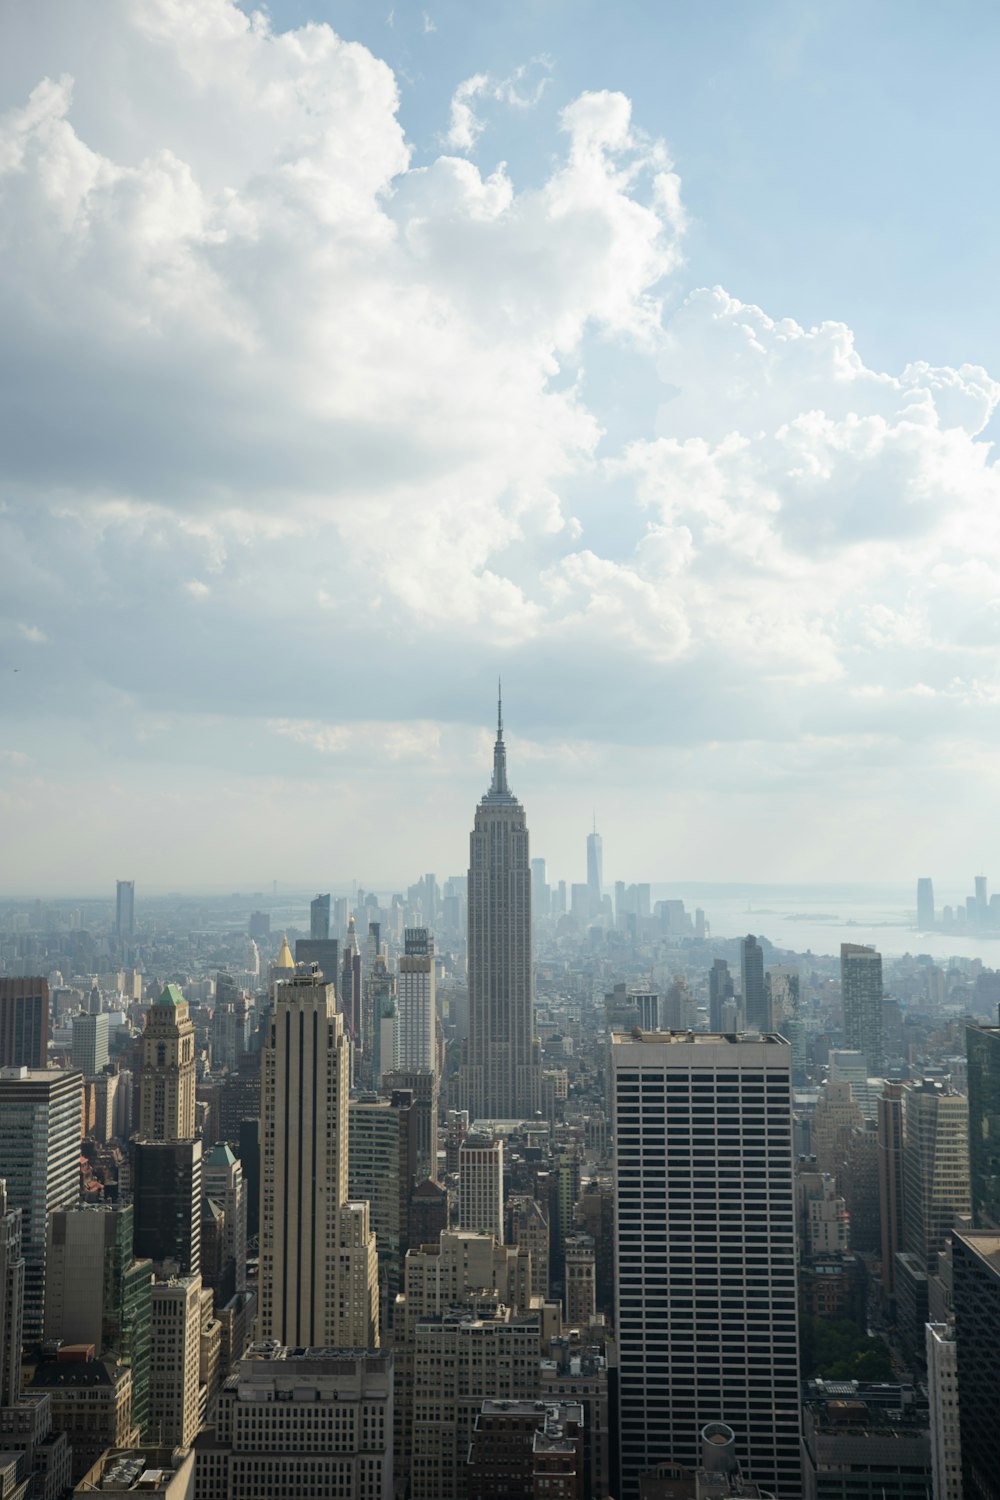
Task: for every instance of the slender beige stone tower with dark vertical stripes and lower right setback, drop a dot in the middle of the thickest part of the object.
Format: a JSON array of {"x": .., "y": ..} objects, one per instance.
[{"x": 319, "y": 1279}]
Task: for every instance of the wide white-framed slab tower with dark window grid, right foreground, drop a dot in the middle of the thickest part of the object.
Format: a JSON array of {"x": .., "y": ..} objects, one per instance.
[{"x": 705, "y": 1253}]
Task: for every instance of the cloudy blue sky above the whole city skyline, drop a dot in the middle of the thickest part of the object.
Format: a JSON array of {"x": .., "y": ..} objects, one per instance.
[{"x": 359, "y": 355}]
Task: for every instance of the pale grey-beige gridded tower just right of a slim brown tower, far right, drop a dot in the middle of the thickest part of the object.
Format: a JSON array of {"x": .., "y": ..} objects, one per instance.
[{"x": 935, "y": 1168}]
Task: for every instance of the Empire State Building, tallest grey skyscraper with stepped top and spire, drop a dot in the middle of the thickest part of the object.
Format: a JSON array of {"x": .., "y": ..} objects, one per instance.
[{"x": 503, "y": 1073}]
